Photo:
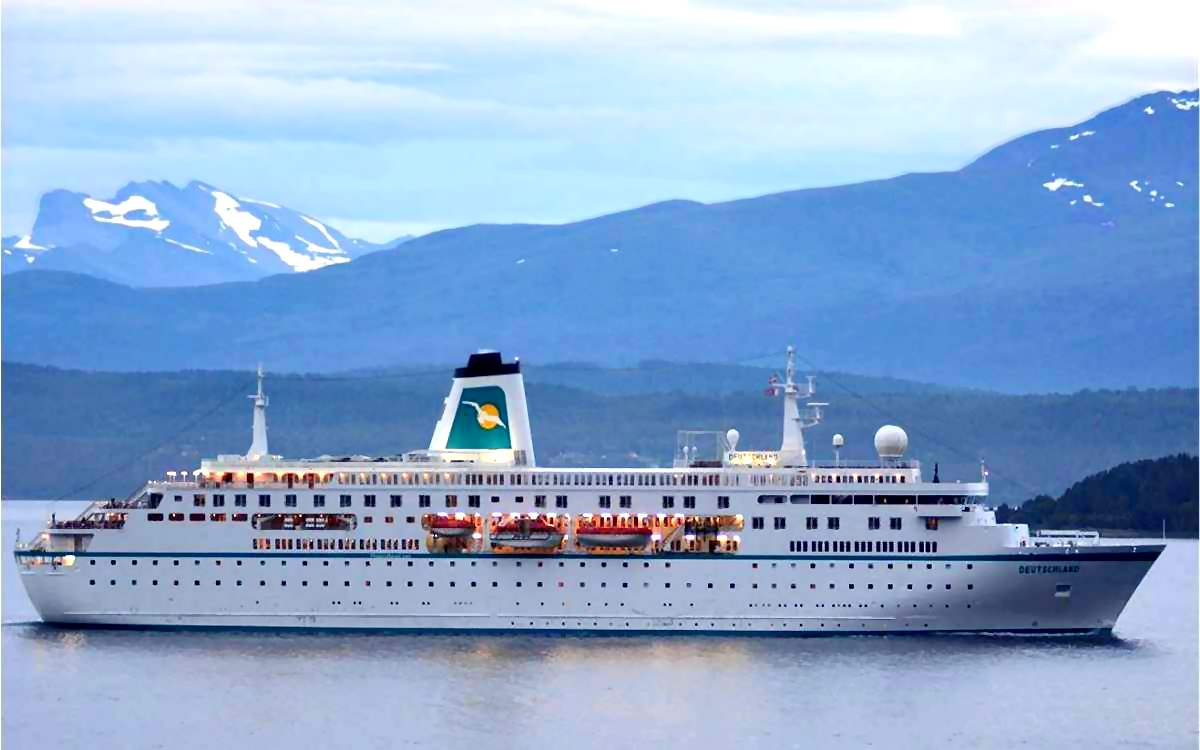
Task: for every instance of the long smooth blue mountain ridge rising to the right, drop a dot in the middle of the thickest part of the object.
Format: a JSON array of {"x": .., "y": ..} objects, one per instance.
[{"x": 1064, "y": 260}]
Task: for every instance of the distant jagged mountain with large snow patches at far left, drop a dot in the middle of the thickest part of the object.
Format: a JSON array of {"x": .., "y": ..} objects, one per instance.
[{"x": 154, "y": 235}]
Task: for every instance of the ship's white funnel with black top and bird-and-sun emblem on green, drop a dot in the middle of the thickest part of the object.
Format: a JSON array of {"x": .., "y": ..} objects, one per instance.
[{"x": 485, "y": 415}]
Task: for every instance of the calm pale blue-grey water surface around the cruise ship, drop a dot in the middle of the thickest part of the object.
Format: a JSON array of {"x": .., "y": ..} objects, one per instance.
[{"x": 128, "y": 689}]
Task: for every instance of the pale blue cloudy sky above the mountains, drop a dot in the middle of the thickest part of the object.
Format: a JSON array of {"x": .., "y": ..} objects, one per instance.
[{"x": 392, "y": 118}]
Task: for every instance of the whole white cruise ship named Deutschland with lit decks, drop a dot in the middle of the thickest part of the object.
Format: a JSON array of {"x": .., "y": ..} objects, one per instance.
[{"x": 473, "y": 536}]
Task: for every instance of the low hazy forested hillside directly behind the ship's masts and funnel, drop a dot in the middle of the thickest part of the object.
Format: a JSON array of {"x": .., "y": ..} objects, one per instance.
[{"x": 83, "y": 434}]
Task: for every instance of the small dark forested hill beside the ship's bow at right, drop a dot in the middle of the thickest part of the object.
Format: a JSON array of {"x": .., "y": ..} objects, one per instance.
[{"x": 1137, "y": 496}]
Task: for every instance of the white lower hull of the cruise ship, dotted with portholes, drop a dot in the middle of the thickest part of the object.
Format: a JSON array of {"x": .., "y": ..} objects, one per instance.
[{"x": 1003, "y": 597}]
